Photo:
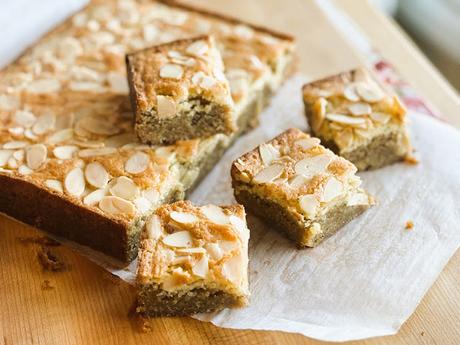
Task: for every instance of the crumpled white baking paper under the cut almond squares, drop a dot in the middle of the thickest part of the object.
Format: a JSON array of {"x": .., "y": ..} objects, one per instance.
[{"x": 366, "y": 280}]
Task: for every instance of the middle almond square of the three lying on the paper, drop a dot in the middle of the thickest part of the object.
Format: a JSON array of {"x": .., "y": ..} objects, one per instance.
[{"x": 299, "y": 186}]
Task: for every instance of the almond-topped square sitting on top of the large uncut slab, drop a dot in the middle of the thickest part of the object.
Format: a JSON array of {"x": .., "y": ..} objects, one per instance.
[{"x": 179, "y": 91}]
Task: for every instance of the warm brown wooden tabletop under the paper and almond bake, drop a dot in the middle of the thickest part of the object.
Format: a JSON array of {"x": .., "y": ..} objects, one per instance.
[{"x": 80, "y": 303}]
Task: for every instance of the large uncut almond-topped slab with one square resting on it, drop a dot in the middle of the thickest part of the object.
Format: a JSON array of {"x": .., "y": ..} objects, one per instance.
[{"x": 69, "y": 160}]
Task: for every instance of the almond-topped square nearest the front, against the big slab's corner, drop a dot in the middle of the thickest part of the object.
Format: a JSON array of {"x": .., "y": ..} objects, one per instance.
[{"x": 193, "y": 260}]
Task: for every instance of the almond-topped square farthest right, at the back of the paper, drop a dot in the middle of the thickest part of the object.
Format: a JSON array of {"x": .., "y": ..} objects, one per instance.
[{"x": 356, "y": 118}]
